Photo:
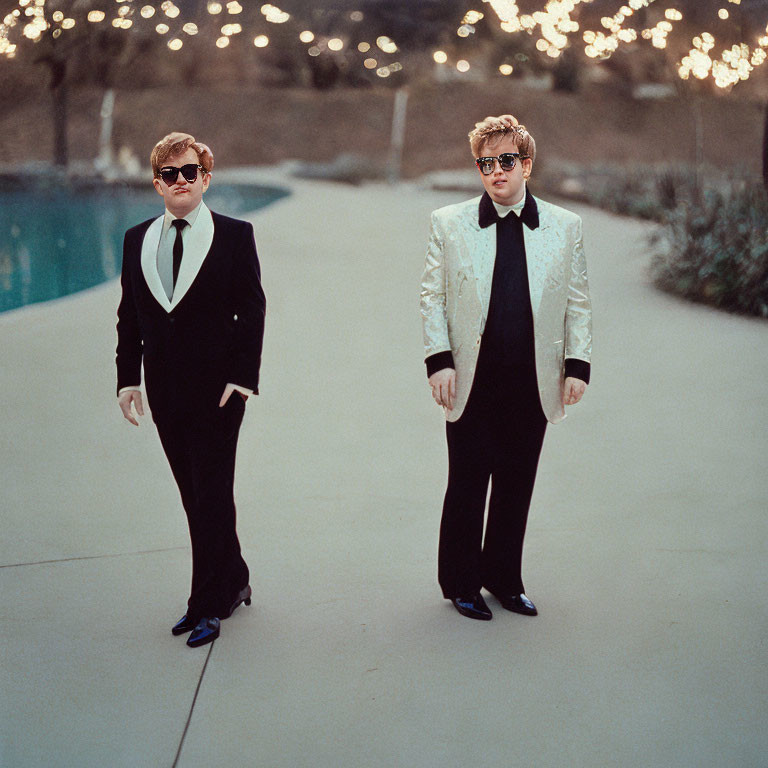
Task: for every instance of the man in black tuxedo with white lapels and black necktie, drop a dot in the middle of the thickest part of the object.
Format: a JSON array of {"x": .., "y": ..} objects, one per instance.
[{"x": 192, "y": 310}]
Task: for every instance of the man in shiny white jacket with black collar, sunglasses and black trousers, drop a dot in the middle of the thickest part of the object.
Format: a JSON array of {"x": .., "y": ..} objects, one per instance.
[{"x": 507, "y": 336}]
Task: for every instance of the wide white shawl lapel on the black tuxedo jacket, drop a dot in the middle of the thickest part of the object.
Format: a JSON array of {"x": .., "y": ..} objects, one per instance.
[{"x": 198, "y": 243}]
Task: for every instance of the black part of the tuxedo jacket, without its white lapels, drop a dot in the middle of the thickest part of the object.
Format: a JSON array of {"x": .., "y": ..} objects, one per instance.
[{"x": 212, "y": 337}]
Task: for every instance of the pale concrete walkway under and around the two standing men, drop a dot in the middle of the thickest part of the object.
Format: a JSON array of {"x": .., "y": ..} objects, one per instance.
[{"x": 646, "y": 550}]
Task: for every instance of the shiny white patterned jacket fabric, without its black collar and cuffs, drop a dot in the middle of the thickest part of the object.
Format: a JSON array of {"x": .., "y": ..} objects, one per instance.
[{"x": 456, "y": 293}]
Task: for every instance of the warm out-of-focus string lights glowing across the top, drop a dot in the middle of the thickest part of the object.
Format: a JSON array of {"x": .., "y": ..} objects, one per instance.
[{"x": 552, "y": 27}]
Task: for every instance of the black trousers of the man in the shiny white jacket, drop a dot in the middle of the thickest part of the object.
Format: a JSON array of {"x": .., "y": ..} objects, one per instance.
[{"x": 497, "y": 438}]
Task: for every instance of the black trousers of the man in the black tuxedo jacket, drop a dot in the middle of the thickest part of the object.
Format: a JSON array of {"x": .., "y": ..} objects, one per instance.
[{"x": 201, "y": 447}]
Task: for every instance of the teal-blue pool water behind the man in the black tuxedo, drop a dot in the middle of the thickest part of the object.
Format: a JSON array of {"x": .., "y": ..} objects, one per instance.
[{"x": 56, "y": 240}]
